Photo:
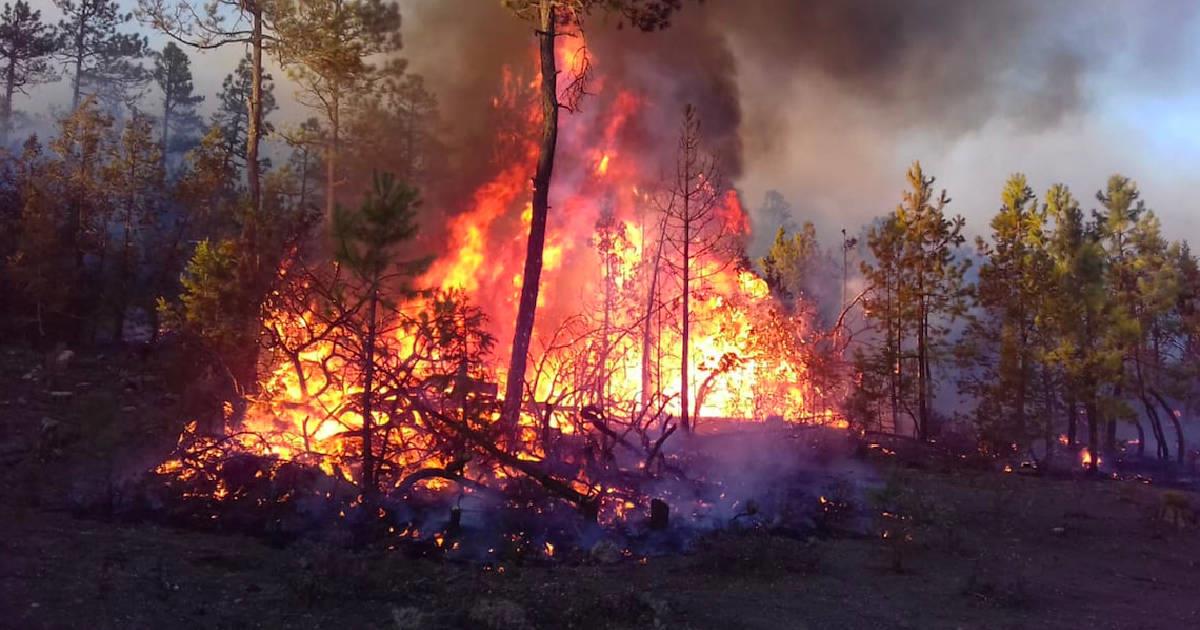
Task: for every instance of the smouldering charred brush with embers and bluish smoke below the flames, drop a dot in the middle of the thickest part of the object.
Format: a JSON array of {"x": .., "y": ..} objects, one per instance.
[{"x": 773, "y": 479}]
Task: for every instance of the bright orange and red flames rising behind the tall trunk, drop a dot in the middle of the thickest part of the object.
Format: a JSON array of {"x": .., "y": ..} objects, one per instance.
[{"x": 596, "y": 319}]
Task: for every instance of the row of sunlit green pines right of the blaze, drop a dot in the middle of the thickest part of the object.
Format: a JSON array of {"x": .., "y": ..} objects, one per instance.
[{"x": 1072, "y": 325}]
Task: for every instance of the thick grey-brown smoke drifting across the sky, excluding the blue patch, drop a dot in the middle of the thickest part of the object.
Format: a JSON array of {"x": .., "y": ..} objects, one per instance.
[{"x": 830, "y": 100}]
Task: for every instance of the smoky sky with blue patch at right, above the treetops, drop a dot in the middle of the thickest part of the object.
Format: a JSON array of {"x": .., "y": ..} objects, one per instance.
[{"x": 832, "y": 100}]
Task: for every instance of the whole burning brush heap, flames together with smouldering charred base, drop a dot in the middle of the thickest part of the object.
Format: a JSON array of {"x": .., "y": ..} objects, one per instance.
[{"x": 377, "y": 410}]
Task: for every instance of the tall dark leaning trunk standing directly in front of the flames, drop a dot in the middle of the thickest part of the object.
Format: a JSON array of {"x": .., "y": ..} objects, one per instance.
[{"x": 523, "y": 337}]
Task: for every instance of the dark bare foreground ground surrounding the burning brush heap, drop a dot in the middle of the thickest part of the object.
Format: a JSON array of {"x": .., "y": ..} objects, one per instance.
[{"x": 965, "y": 549}]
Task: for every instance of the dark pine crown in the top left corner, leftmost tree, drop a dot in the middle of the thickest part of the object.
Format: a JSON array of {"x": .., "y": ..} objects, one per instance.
[{"x": 26, "y": 47}]
